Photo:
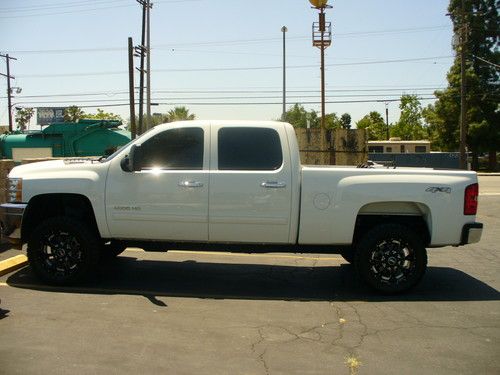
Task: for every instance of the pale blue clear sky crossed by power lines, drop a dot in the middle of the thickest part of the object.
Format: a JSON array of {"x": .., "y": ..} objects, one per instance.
[{"x": 223, "y": 59}]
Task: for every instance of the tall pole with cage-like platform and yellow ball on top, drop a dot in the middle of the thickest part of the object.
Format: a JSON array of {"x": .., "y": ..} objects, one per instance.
[{"x": 322, "y": 38}]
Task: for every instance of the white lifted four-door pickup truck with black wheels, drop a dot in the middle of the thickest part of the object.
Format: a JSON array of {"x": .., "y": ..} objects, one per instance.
[{"x": 235, "y": 186}]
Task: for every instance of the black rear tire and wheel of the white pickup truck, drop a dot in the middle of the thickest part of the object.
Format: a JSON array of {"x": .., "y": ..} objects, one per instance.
[{"x": 391, "y": 258}]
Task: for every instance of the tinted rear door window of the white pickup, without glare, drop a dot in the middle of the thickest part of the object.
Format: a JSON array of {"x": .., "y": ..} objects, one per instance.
[{"x": 256, "y": 149}]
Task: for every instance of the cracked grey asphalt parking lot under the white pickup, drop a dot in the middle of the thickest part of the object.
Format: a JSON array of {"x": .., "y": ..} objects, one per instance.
[{"x": 205, "y": 313}]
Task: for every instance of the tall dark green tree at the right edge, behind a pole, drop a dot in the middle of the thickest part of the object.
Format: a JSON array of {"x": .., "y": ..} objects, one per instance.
[{"x": 482, "y": 21}]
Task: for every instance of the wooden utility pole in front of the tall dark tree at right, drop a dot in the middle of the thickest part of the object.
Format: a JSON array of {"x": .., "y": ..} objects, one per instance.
[{"x": 463, "y": 89}]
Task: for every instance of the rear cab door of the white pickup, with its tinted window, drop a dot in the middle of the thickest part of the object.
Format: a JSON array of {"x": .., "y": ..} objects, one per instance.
[{"x": 250, "y": 185}]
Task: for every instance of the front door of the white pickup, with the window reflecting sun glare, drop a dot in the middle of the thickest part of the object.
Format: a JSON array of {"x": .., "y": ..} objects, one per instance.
[{"x": 168, "y": 198}]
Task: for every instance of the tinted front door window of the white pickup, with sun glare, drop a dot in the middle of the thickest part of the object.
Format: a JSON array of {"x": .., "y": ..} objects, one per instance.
[{"x": 174, "y": 149}]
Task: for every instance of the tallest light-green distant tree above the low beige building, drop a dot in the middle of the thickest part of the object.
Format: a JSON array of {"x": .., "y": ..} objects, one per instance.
[{"x": 410, "y": 124}]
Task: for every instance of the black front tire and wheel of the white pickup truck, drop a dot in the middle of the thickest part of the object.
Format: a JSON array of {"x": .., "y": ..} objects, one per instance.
[{"x": 63, "y": 251}]
